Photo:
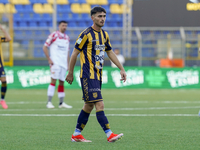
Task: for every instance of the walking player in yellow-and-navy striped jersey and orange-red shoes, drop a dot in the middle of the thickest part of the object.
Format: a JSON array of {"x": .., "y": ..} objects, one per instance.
[{"x": 91, "y": 44}]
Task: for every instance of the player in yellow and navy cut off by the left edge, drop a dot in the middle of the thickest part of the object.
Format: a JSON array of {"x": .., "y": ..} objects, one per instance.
[{"x": 5, "y": 38}]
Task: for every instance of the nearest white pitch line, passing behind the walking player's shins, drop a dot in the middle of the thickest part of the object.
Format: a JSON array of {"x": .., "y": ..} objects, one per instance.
[{"x": 115, "y": 115}]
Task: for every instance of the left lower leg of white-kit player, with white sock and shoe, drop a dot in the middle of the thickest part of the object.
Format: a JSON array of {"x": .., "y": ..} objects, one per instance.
[{"x": 50, "y": 93}]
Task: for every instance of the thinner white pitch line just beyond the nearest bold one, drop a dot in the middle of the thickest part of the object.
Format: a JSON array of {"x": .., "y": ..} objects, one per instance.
[{"x": 111, "y": 109}]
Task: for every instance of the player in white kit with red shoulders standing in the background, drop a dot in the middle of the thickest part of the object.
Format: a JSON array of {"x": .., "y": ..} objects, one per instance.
[{"x": 58, "y": 43}]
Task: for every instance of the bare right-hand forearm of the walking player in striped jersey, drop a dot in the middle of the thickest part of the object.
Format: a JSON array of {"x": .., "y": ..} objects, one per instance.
[{"x": 114, "y": 59}]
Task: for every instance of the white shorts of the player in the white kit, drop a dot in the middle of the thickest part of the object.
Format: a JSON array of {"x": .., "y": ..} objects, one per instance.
[{"x": 58, "y": 72}]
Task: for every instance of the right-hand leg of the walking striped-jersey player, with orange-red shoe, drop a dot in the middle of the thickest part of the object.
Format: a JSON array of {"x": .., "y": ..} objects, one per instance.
[{"x": 103, "y": 121}]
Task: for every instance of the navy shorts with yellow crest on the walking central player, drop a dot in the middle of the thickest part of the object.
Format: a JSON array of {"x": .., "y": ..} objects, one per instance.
[{"x": 91, "y": 90}]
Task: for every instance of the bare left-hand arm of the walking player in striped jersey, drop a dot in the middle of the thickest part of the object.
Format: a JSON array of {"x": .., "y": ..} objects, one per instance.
[{"x": 72, "y": 63}]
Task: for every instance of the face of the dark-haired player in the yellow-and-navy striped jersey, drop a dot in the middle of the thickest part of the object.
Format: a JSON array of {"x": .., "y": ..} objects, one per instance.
[{"x": 99, "y": 19}]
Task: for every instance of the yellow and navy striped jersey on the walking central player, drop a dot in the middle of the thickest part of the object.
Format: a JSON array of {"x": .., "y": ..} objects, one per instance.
[{"x": 92, "y": 44}]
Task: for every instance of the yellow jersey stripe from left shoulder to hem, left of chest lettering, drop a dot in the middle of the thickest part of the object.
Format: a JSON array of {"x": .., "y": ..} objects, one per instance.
[{"x": 89, "y": 55}]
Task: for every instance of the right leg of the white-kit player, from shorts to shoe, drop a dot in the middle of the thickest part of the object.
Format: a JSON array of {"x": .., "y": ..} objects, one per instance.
[{"x": 61, "y": 93}]
